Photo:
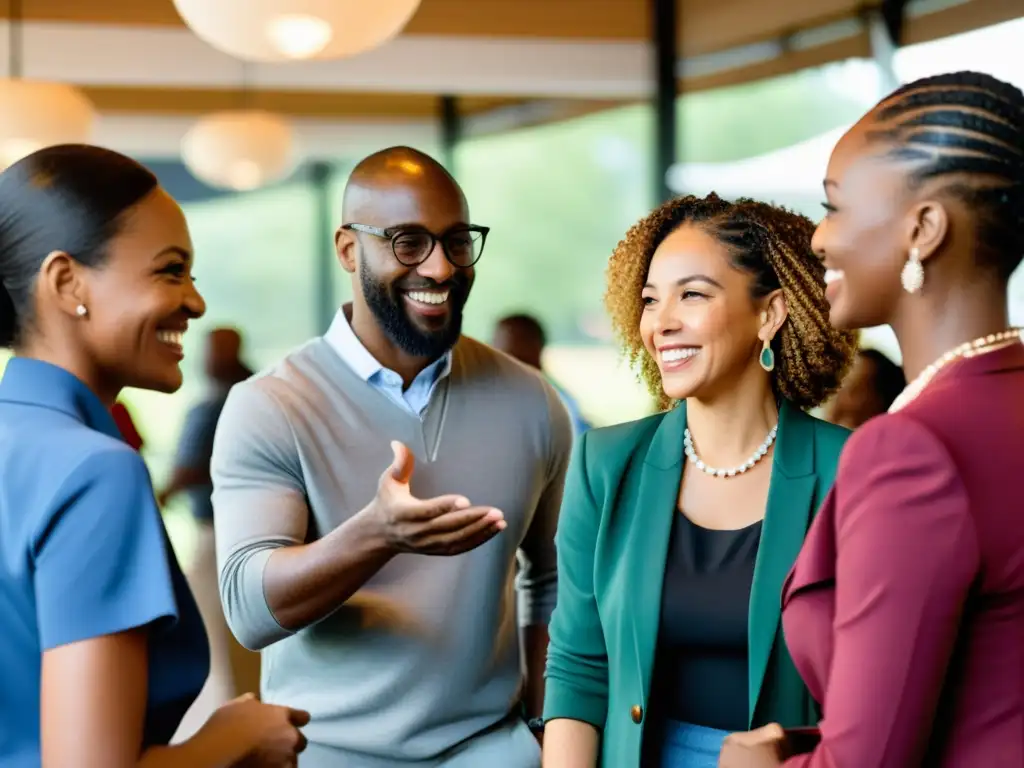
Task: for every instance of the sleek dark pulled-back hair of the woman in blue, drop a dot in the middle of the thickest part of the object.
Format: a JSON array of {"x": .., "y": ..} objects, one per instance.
[{"x": 70, "y": 198}]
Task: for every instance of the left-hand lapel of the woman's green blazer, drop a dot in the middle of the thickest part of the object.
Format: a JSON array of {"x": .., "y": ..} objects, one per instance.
[{"x": 654, "y": 503}]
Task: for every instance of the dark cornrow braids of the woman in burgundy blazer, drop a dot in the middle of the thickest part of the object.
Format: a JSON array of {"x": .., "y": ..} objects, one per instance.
[{"x": 968, "y": 129}]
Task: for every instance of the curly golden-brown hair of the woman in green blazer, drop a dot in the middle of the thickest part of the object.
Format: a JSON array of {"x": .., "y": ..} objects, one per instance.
[{"x": 771, "y": 244}]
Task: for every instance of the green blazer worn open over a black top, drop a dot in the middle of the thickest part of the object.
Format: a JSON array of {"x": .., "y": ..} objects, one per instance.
[{"x": 613, "y": 541}]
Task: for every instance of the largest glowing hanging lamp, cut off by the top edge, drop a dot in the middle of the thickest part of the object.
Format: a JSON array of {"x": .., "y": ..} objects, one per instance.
[{"x": 288, "y": 30}]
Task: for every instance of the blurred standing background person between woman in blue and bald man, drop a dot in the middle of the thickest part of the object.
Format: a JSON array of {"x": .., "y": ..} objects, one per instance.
[{"x": 234, "y": 670}]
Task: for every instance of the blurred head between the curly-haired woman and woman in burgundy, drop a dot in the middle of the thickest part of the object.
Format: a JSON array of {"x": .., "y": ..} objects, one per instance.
[{"x": 869, "y": 391}]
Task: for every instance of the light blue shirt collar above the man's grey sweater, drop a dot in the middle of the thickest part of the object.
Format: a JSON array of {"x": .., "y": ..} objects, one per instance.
[{"x": 351, "y": 350}]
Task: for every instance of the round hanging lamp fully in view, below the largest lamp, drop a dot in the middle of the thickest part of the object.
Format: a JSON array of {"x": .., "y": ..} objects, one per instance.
[{"x": 239, "y": 151}]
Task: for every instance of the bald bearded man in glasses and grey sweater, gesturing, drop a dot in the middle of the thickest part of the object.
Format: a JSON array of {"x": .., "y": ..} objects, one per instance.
[{"x": 374, "y": 492}]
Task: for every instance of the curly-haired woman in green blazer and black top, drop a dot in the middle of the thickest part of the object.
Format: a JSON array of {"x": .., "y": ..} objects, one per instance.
[{"x": 667, "y": 634}]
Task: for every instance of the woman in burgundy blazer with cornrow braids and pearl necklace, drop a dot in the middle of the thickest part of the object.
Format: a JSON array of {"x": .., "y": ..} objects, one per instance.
[{"x": 905, "y": 612}]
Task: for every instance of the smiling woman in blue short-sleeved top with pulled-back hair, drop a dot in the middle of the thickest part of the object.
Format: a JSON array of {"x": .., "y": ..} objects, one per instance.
[{"x": 103, "y": 650}]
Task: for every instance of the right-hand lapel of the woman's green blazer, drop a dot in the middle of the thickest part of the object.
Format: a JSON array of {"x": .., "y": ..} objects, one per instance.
[{"x": 791, "y": 506}]
